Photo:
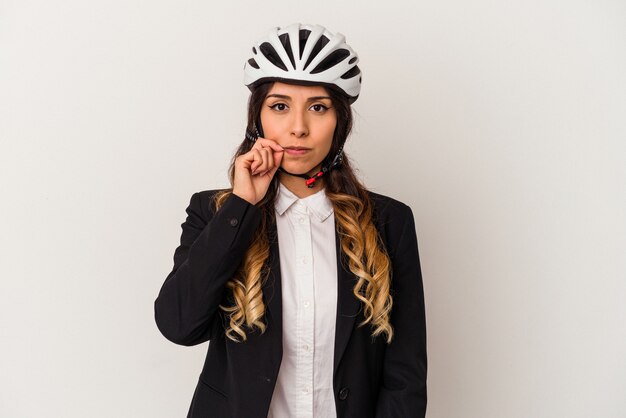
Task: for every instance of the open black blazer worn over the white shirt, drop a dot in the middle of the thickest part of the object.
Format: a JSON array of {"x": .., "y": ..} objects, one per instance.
[{"x": 370, "y": 378}]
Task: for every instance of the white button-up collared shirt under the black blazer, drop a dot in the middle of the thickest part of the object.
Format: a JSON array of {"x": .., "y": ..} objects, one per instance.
[{"x": 308, "y": 267}]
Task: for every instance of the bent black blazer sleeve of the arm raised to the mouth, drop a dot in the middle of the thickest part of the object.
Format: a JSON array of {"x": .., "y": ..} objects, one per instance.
[{"x": 209, "y": 253}]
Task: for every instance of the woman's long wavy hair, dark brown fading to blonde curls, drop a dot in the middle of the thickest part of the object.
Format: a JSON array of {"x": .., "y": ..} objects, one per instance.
[{"x": 359, "y": 239}]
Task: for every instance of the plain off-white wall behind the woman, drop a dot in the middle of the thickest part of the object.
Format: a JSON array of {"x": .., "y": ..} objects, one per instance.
[{"x": 502, "y": 124}]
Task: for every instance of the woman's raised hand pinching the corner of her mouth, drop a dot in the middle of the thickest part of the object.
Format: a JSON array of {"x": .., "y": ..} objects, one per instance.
[{"x": 255, "y": 169}]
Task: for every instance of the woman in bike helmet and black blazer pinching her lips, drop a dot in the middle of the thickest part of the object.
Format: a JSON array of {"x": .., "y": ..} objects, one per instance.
[{"x": 308, "y": 314}]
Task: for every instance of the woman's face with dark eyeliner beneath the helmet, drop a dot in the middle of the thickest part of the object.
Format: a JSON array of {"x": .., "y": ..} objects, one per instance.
[{"x": 299, "y": 116}]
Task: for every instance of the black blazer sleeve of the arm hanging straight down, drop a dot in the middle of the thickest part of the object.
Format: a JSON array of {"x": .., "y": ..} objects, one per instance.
[{"x": 403, "y": 389}]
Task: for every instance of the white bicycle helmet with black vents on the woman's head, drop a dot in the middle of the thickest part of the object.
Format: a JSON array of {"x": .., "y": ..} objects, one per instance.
[{"x": 304, "y": 53}]
